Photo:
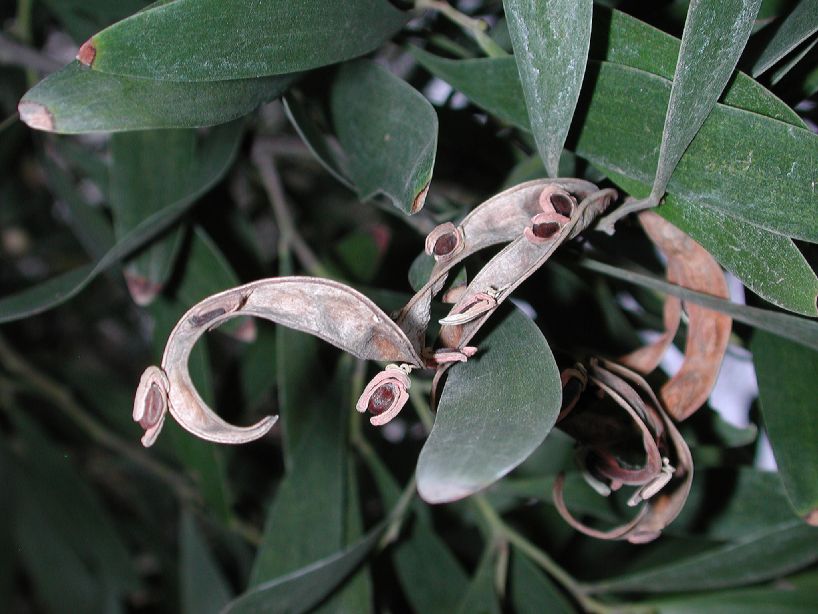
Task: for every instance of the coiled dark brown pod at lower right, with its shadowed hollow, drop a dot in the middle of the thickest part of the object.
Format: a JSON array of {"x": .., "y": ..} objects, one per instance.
[{"x": 616, "y": 419}]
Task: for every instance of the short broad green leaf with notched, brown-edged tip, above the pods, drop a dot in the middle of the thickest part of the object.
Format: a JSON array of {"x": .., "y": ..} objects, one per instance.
[{"x": 388, "y": 131}]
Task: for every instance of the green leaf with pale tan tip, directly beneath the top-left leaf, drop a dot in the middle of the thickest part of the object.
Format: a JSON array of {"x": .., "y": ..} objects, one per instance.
[{"x": 76, "y": 100}]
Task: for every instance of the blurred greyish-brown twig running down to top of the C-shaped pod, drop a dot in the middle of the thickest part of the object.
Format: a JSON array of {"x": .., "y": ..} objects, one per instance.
[{"x": 290, "y": 237}]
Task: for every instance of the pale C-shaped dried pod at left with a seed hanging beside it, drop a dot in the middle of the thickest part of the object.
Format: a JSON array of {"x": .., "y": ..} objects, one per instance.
[{"x": 327, "y": 309}]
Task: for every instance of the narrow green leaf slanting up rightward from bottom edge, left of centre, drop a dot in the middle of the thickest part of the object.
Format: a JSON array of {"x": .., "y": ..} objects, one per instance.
[{"x": 302, "y": 589}]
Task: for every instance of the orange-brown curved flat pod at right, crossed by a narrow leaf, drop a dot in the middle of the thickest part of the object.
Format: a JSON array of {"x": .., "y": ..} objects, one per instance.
[{"x": 691, "y": 266}]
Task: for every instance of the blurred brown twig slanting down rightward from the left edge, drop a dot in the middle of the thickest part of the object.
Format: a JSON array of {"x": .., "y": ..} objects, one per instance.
[{"x": 61, "y": 397}]
